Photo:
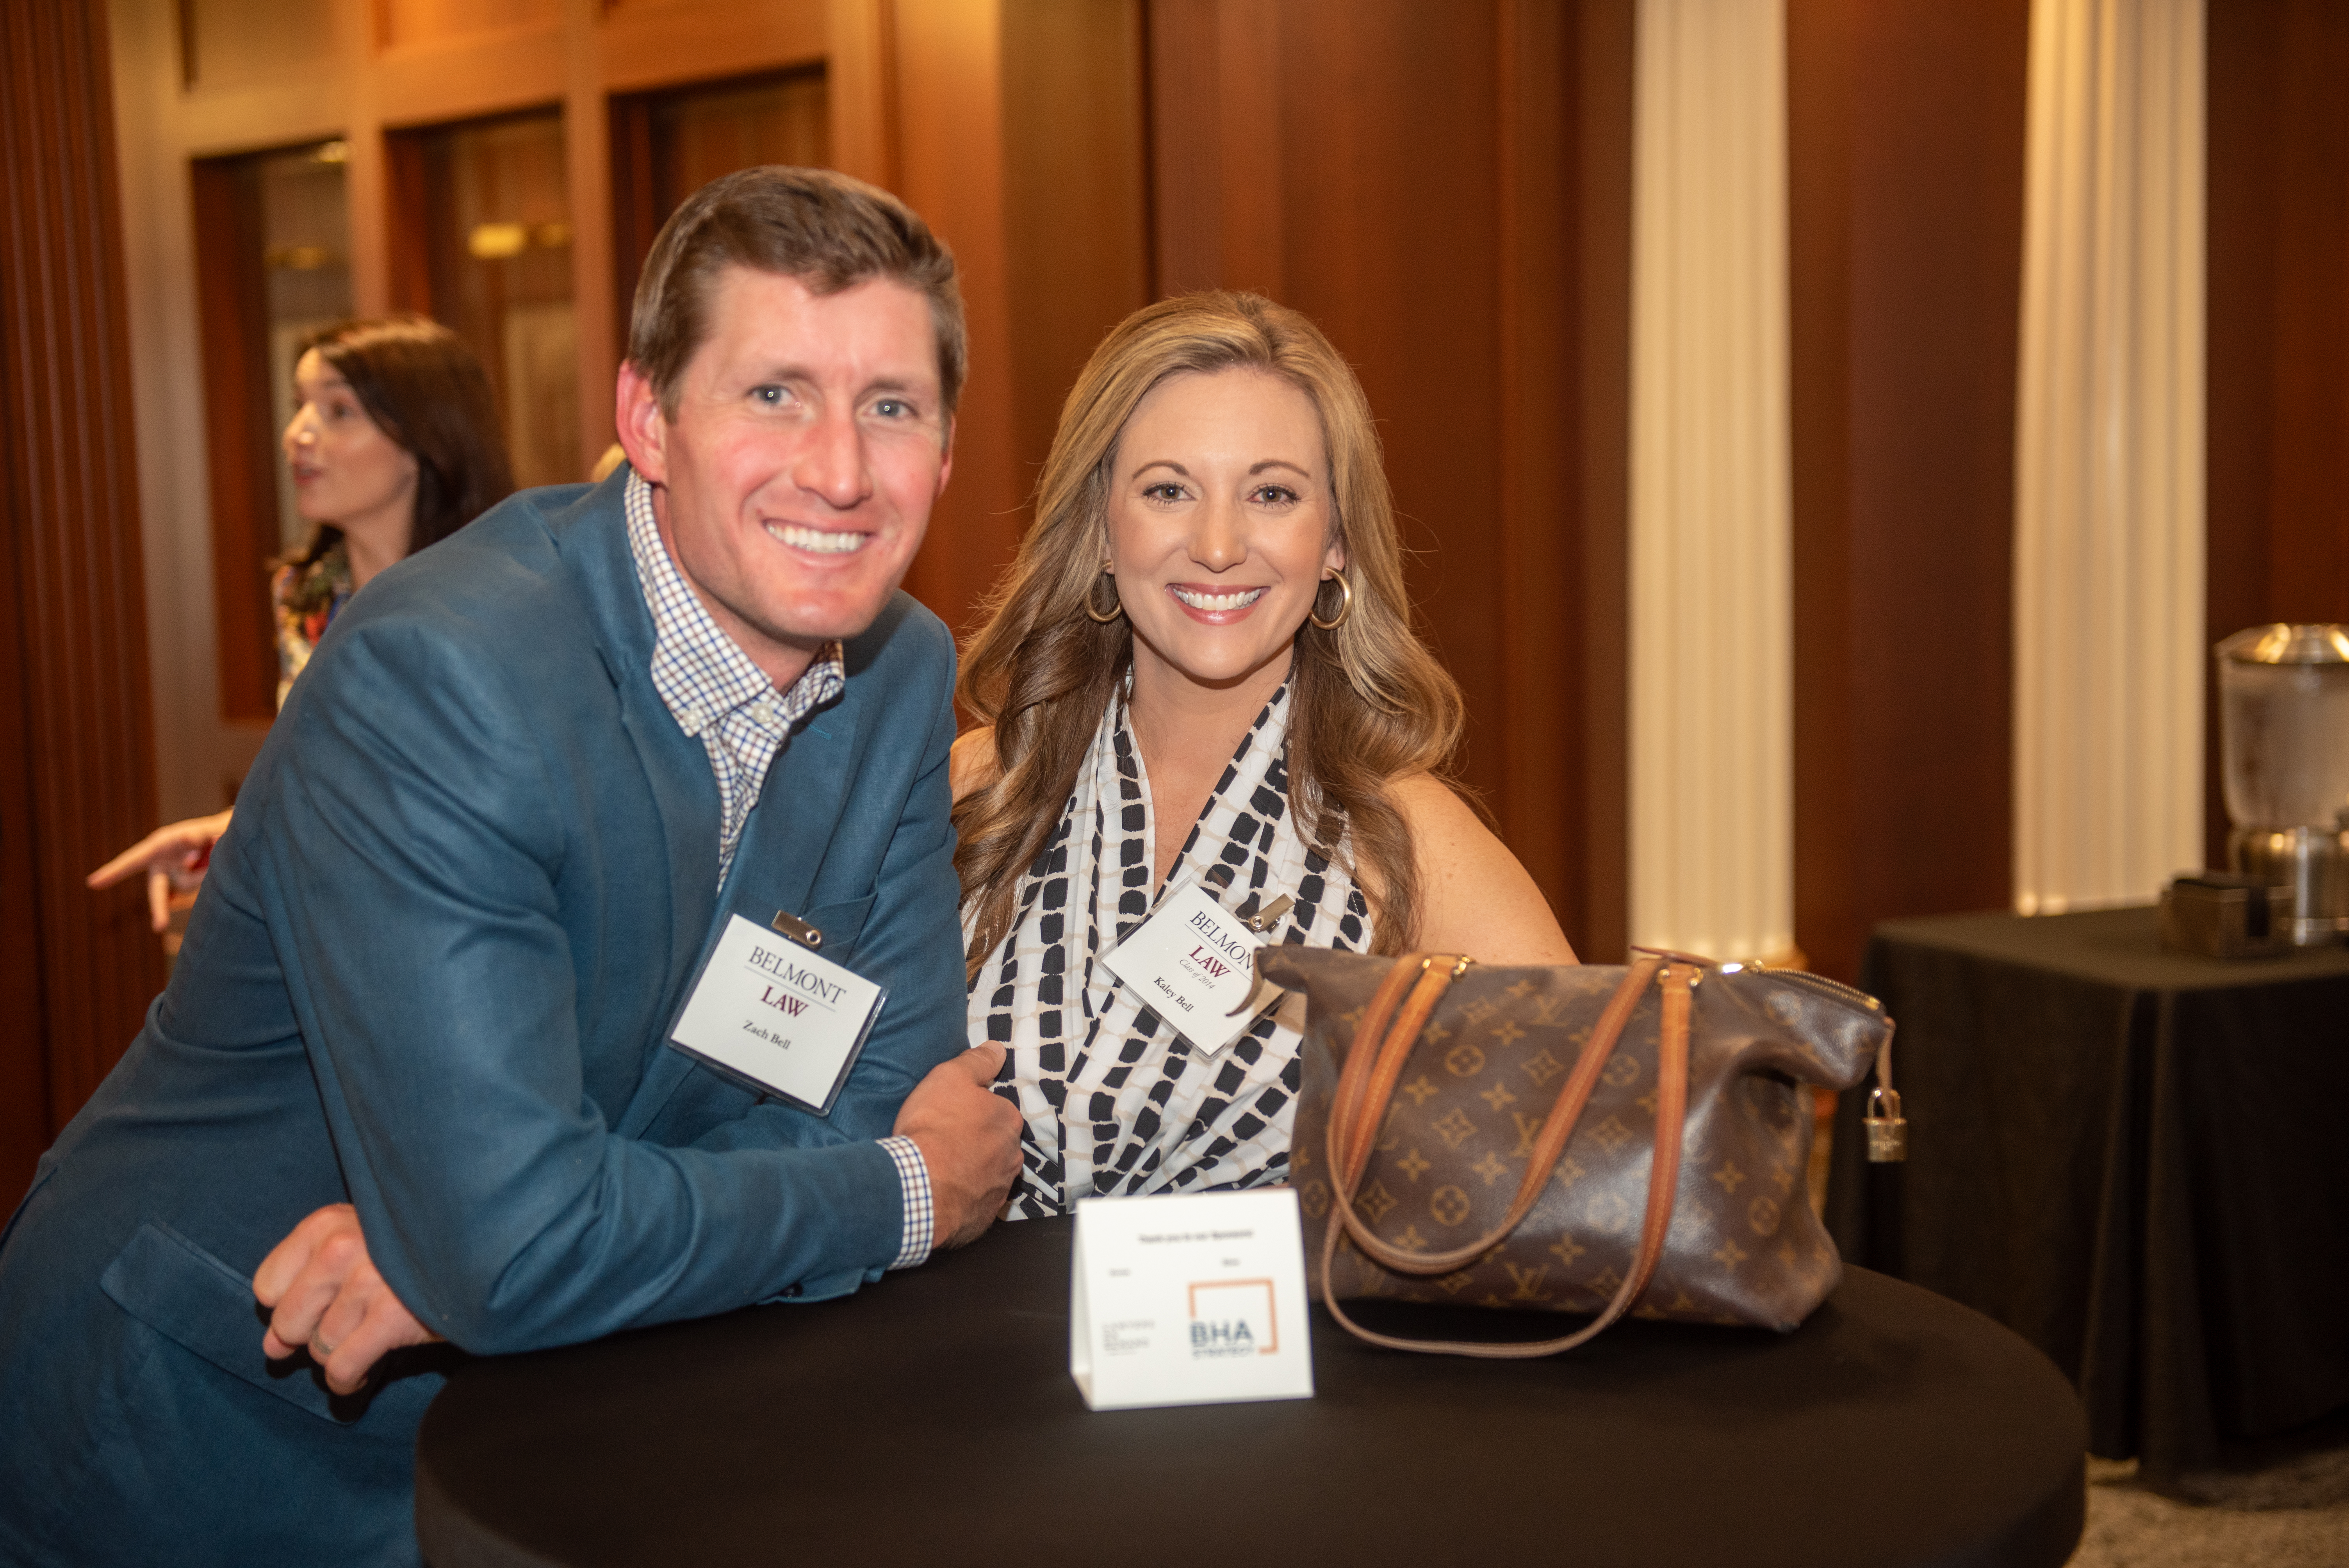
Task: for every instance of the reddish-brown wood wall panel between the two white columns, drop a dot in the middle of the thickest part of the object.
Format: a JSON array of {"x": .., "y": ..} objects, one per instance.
[{"x": 1906, "y": 158}]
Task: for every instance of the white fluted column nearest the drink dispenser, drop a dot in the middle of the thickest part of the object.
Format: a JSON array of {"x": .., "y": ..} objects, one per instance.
[{"x": 2111, "y": 635}]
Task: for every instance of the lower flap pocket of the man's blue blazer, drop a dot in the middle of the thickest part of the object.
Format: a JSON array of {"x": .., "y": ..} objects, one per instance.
[{"x": 208, "y": 1309}]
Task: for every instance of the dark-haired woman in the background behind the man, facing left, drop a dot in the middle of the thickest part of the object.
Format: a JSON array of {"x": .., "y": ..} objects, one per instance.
[{"x": 393, "y": 447}]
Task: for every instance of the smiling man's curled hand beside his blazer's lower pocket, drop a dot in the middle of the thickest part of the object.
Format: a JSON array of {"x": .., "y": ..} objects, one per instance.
[{"x": 328, "y": 1295}]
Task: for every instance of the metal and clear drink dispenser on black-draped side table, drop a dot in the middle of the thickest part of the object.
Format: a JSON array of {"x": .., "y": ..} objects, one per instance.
[{"x": 2284, "y": 736}]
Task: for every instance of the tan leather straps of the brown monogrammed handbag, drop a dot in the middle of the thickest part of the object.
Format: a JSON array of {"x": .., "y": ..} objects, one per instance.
[{"x": 1664, "y": 1165}]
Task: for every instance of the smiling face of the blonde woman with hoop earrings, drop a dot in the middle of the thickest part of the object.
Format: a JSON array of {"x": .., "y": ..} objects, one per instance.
[{"x": 1220, "y": 525}]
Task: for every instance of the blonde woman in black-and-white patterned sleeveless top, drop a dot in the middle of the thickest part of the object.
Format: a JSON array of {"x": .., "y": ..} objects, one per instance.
[{"x": 1202, "y": 668}]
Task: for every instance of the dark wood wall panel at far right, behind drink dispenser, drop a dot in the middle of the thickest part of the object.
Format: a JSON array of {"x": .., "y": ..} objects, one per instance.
[{"x": 2280, "y": 327}]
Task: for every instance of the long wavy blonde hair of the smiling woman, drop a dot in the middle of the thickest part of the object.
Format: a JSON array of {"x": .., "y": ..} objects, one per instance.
[{"x": 1368, "y": 701}]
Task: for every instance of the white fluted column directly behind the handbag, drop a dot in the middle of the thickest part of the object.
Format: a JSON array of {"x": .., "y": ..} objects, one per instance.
[{"x": 1711, "y": 637}]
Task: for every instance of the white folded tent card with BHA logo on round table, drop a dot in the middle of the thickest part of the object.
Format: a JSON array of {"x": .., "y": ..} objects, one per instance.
[{"x": 1192, "y": 1299}]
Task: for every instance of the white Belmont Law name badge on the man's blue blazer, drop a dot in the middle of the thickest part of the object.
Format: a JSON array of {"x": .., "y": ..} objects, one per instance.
[{"x": 781, "y": 1018}]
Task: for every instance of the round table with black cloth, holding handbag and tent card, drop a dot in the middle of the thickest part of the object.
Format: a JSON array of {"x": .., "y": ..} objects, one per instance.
[{"x": 931, "y": 1419}]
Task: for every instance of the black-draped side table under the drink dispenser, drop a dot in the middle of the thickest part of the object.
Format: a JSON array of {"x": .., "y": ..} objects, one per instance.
[{"x": 2134, "y": 1158}]
